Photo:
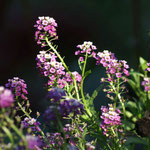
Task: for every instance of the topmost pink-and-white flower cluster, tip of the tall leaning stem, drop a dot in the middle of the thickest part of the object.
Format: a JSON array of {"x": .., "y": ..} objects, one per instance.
[{"x": 46, "y": 27}]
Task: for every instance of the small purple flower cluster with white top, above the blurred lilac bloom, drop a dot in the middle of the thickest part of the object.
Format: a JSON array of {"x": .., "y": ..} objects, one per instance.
[{"x": 32, "y": 123}]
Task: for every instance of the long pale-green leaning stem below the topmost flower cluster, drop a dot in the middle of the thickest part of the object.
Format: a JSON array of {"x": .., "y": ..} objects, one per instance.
[{"x": 61, "y": 59}]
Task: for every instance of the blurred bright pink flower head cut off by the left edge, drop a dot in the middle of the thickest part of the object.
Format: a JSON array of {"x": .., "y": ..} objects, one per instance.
[{"x": 6, "y": 97}]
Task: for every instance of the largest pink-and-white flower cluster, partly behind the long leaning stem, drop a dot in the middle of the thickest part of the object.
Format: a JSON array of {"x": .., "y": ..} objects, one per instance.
[{"x": 54, "y": 70}]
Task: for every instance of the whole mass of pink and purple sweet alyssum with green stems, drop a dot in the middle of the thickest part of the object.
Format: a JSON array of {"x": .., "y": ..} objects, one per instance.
[{"x": 70, "y": 119}]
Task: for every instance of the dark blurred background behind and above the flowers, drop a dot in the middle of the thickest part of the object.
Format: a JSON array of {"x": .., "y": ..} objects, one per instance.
[{"x": 120, "y": 26}]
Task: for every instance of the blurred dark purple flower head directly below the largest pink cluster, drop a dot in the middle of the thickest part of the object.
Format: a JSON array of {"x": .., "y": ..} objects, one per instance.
[{"x": 55, "y": 94}]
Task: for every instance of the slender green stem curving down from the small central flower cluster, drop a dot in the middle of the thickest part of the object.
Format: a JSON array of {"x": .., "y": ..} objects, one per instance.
[{"x": 82, "y": 81}]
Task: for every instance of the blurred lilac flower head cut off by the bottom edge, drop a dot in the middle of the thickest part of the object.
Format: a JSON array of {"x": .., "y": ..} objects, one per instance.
[{"x": 33, "y": 142}]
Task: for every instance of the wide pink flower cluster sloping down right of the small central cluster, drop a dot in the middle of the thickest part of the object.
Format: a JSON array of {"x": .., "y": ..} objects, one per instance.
[{"x": 113, "y": 67}]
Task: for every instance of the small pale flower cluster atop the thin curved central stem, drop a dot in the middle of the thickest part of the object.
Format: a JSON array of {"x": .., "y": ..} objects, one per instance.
[{"x": 86, "y": 47}]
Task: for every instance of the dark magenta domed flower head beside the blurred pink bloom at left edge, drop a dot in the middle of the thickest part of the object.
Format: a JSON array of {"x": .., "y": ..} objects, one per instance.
[{"x": 18, "y": 87}]
